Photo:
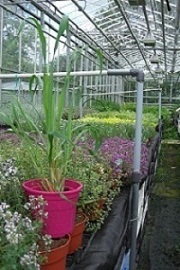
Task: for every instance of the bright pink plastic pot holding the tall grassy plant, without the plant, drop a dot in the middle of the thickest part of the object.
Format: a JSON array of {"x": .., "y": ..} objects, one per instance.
[{"x": 61, "y": 206}]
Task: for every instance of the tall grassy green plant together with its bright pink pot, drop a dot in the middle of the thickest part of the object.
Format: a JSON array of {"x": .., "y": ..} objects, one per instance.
[{"x": 50, "y": 144}]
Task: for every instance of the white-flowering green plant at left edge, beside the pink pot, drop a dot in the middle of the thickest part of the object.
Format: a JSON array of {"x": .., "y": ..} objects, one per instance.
[{"x": 19, "y": 233}]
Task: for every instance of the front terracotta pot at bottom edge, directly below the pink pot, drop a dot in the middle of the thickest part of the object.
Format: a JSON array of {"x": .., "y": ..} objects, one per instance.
[{"x": 55, "y": 259}]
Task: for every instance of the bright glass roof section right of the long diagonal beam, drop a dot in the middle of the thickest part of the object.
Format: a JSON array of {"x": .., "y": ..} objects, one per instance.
[{"x": 120, "y": 28}]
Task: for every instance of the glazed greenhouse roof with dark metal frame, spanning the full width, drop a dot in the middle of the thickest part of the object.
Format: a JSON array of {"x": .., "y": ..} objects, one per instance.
[{"x": 118, "y": 27}]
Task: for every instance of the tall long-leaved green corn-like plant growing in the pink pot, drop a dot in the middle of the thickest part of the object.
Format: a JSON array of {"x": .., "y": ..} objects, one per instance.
[{"x": 54, "y": 138}]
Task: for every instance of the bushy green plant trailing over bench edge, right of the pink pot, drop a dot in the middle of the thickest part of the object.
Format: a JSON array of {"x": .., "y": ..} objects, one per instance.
[{"x": 99, "y": 185}]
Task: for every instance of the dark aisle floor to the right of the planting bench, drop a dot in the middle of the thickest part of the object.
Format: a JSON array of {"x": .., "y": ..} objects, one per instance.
[{"x": 160, "y": 249}]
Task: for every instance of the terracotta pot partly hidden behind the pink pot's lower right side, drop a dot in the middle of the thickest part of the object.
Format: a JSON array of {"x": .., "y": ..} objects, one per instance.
[{"x": 77, "y": 234}]
